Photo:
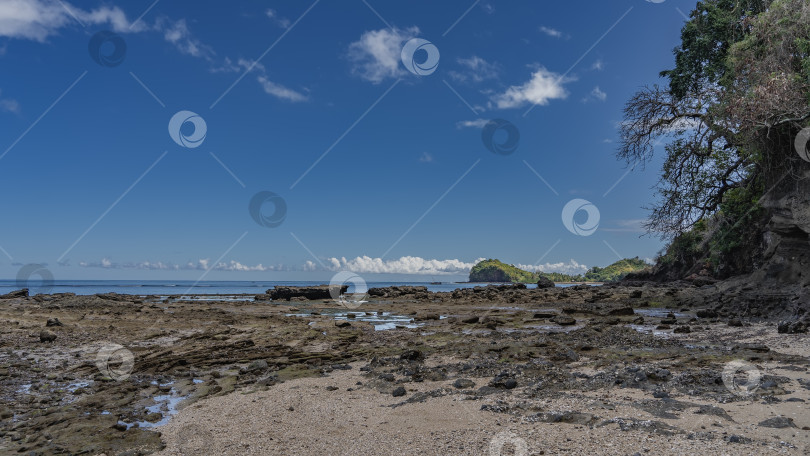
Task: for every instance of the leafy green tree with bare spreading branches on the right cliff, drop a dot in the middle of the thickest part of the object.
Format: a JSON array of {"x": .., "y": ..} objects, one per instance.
[{"x": 737, "y": 97}]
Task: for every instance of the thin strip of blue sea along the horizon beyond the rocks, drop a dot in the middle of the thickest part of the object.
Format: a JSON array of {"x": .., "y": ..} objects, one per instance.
[{"x": 190, "y": 287}]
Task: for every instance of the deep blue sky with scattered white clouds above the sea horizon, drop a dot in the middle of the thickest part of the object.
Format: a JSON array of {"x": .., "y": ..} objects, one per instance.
[{"x": 382, "y": 171}]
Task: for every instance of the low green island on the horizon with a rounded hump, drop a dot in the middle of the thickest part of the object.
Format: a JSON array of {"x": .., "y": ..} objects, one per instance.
[{"x": 497, "y": 271}]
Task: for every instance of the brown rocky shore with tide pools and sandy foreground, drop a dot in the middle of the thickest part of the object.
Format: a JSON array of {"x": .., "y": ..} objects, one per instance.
[{"x": 649, "y": 368}]
